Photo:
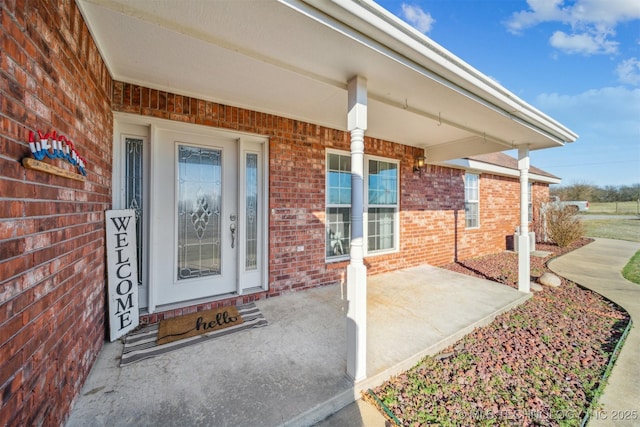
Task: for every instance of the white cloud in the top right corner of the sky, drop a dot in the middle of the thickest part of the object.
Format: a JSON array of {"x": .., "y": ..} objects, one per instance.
[{"x": 592, "y": 22}]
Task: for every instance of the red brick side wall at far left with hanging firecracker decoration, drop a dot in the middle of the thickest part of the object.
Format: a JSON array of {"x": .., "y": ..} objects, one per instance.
[{"x": 52, "y": 275}]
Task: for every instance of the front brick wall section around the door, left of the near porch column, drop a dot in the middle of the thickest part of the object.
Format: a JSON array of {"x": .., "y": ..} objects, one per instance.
[{"x": 296, "y": 181}]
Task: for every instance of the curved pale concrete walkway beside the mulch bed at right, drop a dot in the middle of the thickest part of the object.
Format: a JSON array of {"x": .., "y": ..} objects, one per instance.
[{"x": 598, "y": 266}]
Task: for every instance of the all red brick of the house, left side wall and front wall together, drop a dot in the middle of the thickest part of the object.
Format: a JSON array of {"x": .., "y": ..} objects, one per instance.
[{"x": 52, "y": 278}]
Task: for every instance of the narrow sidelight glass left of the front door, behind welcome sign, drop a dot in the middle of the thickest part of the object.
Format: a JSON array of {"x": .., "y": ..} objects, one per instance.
[{"x": 133, "y": 190}]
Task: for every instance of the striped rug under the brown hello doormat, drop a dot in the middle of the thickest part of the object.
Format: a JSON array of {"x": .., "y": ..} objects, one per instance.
[{"x": 143, "y": 343}]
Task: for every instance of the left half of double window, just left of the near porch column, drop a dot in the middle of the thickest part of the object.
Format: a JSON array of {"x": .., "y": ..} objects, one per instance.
[{"x": 338, "y": 206}]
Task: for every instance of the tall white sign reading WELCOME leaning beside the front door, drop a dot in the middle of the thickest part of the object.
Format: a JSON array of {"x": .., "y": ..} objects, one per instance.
[{"x": 122, "y": 270}]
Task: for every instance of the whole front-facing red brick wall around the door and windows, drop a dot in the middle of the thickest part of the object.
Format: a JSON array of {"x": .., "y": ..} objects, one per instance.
[{"x": 431, "y": 207}]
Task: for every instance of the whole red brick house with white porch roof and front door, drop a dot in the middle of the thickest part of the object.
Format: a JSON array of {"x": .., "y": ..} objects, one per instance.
[{"x": 266, "y": 148}]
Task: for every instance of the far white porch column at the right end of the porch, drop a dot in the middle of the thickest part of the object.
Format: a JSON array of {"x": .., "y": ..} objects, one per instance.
[{"x": 524, "y": 267}]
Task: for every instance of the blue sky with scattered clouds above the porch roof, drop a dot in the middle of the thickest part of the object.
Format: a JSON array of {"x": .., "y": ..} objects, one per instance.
[{"x": 578, "y": 61}]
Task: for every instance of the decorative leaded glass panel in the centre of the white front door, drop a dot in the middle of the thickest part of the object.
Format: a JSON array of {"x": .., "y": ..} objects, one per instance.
[{"x": 199, "y": 219}]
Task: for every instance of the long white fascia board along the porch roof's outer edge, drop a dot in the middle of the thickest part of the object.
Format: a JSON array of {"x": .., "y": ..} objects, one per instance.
[{"x": 420, "y": 50}]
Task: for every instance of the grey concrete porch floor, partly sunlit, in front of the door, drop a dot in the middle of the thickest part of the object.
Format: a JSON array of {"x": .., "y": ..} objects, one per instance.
[{"x": 292, "y": 372}]
